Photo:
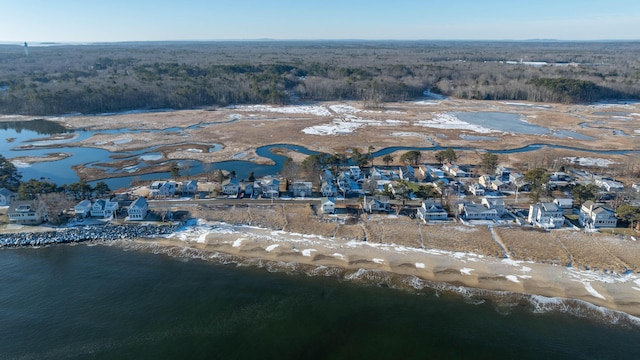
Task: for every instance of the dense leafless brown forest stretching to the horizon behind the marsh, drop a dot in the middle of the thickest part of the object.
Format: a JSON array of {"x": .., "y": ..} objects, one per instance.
[{"x": 98, "y": 78}]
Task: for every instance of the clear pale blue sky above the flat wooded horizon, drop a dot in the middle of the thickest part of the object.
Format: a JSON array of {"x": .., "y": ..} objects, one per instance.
[{"x": 142, "y": 20}]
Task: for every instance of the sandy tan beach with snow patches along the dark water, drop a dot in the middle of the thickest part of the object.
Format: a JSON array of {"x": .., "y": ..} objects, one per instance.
[{"x": 288, "y": 250}]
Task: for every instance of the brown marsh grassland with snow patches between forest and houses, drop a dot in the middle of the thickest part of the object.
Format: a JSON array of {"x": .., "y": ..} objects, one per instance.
[{"x": 241, "y": 130}]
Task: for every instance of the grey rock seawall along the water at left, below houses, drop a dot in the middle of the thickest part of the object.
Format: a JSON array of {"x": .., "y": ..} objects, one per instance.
[{"x": 85, "y": 233}]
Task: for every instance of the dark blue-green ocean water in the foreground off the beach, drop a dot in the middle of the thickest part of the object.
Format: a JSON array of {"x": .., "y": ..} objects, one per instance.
[{"x": 114, "y": 302}]
